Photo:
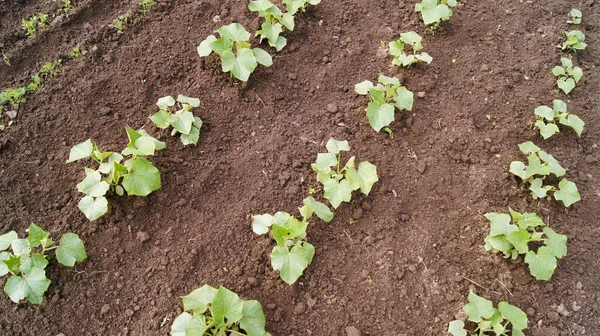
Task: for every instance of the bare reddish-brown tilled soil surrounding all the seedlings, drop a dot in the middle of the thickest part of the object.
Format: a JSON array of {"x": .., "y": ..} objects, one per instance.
[{"x": 401, "y": 267}]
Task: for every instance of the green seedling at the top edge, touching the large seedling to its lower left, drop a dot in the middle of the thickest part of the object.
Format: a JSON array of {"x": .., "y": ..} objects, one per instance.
[{"x": 275, "y": 21}]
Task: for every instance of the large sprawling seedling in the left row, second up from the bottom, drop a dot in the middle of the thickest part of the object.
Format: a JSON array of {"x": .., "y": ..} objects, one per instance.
[{"x": 128, "y": 171}]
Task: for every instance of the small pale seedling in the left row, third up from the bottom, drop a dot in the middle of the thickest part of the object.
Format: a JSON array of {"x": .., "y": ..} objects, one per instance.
[{"x": 183, "y": 121}]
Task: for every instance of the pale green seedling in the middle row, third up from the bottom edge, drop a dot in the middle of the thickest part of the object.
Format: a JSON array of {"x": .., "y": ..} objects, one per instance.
[{"x": 339, "y": 182}]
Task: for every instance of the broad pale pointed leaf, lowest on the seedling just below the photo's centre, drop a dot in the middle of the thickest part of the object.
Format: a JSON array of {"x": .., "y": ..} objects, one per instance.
[{"x": 292, "y": 263}]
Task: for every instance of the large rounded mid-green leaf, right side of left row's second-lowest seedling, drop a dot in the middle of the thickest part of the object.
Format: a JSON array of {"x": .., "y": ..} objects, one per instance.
[{"x": 142, "y": 179}]
